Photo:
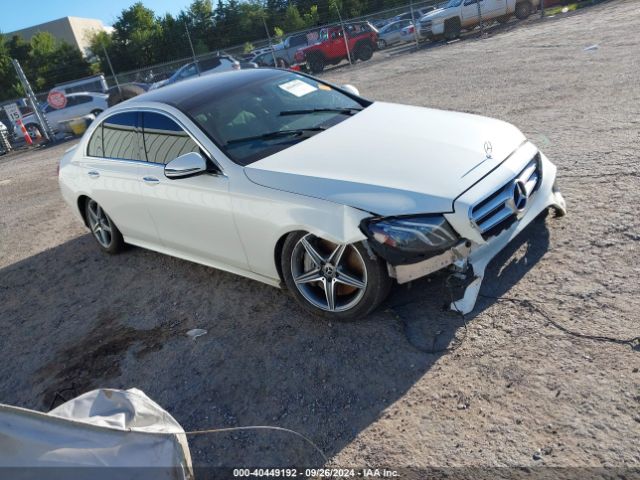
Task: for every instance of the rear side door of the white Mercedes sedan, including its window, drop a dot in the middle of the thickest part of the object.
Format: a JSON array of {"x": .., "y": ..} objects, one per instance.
[{"x": 110, "y": 172}]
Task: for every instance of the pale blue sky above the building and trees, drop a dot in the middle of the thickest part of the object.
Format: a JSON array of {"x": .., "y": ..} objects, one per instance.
[{"x": 40, "y": 11}]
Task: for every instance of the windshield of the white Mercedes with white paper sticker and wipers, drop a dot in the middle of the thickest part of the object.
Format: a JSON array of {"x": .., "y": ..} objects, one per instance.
[{"x": 271, "y": 114}]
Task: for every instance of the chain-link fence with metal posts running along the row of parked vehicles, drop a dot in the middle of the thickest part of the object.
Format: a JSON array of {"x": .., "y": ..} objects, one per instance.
[{"x": 398, "y": 30}]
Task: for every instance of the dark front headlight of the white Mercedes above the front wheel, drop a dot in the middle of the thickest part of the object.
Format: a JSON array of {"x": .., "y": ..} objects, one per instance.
[{"x": 409, "y": 239}]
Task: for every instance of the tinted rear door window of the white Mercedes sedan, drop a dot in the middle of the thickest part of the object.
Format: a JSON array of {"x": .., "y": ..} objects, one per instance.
[{"x": 119, "y": 136}]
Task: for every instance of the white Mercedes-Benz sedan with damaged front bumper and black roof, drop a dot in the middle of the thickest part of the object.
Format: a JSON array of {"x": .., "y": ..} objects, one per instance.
[{"x": 298, "y": 183}]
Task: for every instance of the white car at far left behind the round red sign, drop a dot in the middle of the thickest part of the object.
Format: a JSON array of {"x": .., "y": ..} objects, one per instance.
[{"x": 78, "y": 105}]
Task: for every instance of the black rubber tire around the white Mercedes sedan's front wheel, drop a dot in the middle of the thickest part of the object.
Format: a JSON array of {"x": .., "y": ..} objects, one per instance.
[{"x": 377, "y": 281}]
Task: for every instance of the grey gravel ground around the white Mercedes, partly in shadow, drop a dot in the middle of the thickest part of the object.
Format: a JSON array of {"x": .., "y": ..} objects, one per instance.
[{"x": 517, "y": 391}]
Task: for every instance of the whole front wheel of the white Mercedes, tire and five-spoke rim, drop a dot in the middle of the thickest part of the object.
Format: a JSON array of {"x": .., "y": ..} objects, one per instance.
[{"x": 334, "y": 281}]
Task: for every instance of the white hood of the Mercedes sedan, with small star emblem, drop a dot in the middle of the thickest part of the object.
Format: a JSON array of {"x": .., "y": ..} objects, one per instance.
[{"x": 391, "y": 159}]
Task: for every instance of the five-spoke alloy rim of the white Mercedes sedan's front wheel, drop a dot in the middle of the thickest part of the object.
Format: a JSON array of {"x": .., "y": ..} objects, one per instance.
[{"x": 330, "y": 276}]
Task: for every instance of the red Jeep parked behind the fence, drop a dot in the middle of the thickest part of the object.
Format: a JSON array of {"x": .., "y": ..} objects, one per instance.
[{"x": 331, "y": 47}]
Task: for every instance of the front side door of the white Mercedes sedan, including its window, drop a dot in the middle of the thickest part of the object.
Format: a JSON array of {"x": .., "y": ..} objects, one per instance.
[{"x": 193, "y": 215}]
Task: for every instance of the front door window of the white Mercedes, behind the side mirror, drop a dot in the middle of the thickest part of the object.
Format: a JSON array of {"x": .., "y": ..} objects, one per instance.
[{"x": 164, "y": 139}]
